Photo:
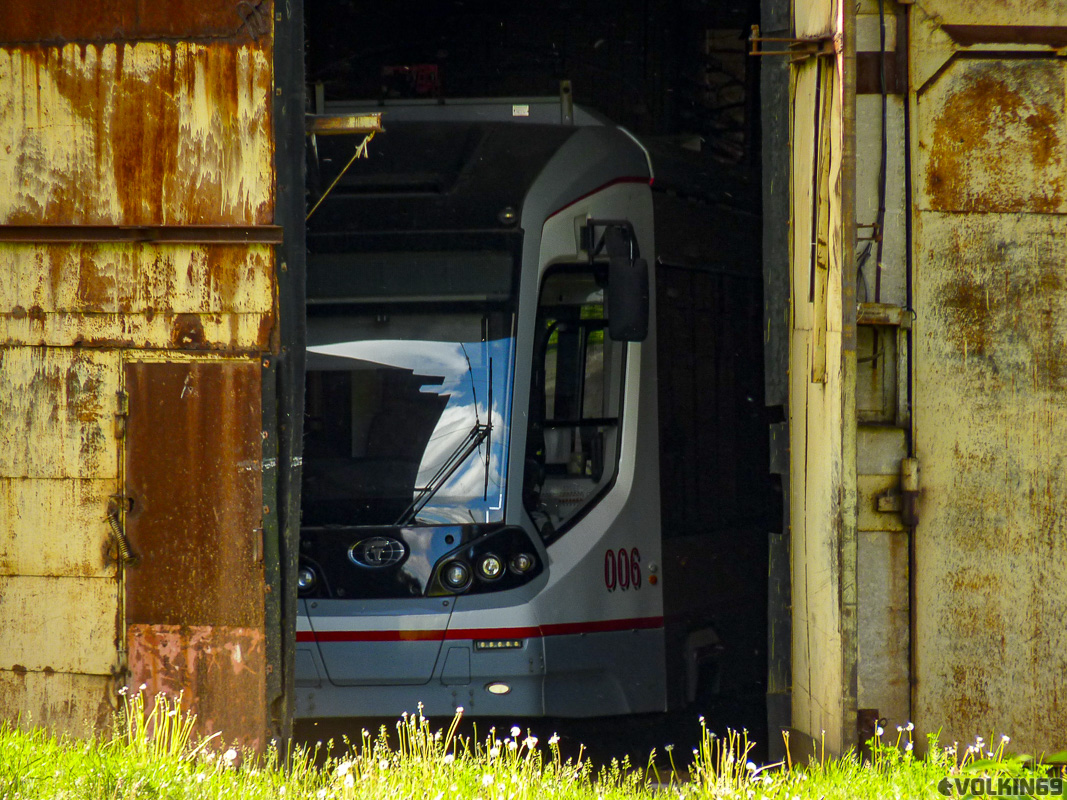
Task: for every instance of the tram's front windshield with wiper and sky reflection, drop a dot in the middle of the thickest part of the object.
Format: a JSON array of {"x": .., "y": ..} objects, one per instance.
[{"x": 407, "y": 418}]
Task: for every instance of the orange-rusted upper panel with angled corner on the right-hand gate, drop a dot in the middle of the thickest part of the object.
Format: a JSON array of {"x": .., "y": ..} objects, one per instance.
[{"x": 997, "y": 142}]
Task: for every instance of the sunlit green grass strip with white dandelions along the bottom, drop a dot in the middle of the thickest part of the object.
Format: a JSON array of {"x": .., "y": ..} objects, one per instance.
[{"x": 152, "y": 755}]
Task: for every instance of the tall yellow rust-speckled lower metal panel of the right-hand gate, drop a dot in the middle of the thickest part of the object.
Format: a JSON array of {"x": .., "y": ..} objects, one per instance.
[{"x": 991, "y": 415}]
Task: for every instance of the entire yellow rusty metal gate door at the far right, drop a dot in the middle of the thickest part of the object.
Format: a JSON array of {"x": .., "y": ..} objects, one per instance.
[{"x": 989, "y": 87}]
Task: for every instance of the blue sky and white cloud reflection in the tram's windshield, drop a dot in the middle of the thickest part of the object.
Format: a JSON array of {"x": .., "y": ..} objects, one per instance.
[{"x": 465, "y": 495}]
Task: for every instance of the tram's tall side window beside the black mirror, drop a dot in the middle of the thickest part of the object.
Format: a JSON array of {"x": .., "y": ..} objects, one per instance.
[{"x": 576, "y": 403}]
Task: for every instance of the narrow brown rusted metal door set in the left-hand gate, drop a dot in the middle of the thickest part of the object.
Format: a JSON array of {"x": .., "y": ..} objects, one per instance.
[{"x": 194, "y": 482}]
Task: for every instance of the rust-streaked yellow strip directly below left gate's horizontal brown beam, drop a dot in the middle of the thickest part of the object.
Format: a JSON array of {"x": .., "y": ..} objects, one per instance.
[{"x": 197, "y": 298}]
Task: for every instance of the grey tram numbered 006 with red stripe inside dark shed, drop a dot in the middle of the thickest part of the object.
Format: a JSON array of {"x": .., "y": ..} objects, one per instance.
[{"x": 534, "y": 436}]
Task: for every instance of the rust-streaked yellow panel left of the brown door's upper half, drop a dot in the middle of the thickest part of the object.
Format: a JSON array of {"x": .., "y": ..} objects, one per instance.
[{"x": 57, "y": 409}]
